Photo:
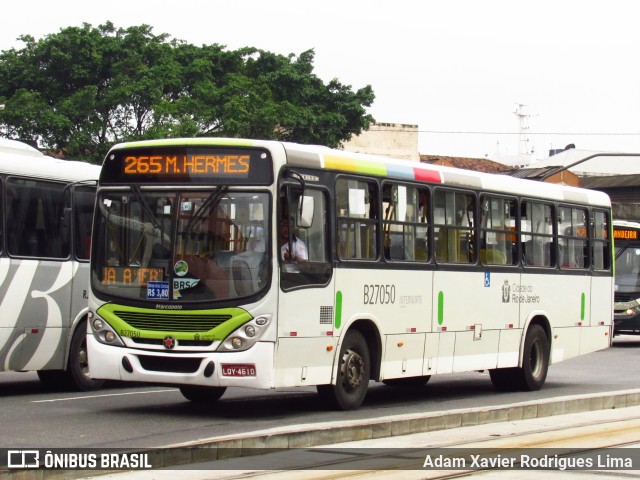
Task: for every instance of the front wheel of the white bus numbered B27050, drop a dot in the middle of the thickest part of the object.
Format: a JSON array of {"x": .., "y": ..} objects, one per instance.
[{"x": 354, "y": 367}]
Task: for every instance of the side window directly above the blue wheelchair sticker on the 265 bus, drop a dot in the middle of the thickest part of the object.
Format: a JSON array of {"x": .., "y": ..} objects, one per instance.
[{"x": 497, "y": 237}]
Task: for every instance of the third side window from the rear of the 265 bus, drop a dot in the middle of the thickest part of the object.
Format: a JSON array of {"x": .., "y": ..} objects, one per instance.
[{"x": 536, "y": 225}]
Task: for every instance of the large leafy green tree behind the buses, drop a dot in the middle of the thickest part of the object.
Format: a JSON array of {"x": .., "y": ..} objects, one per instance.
[{"x": 83, "y": 89}]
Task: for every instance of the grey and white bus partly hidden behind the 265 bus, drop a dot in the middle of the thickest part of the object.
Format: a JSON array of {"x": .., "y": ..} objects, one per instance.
[{"x": 45, "y": 235}]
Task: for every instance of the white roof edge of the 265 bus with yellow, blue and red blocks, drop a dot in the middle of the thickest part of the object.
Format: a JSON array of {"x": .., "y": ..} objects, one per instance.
[{"x": 315, "y": 156}]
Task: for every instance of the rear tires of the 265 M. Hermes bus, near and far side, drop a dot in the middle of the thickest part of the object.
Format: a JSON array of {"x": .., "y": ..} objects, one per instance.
[{"x": 535, "y": 365}]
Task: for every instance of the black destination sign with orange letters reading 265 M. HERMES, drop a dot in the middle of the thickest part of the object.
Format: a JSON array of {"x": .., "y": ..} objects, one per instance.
[{"x": 180, "y": 165}]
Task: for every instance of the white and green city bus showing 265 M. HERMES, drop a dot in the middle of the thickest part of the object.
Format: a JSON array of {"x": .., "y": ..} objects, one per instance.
[{"x": 410, "y": 270}]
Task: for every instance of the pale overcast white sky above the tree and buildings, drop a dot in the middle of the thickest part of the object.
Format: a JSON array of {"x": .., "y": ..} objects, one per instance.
[{"x": 455, "y": 68}]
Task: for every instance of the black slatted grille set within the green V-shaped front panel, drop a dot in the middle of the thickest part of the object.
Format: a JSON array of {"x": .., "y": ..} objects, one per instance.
[{"x": 174, "y": 323}]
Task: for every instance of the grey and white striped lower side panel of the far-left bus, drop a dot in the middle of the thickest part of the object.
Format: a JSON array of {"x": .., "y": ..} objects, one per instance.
[{"x": 34, "y": 313}]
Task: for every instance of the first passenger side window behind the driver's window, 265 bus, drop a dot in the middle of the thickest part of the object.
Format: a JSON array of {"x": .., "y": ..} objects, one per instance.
[{"x": 357, "y": 219}]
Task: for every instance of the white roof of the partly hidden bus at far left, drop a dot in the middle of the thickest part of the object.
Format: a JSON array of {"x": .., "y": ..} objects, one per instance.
[{"x": 17, "y": 158}]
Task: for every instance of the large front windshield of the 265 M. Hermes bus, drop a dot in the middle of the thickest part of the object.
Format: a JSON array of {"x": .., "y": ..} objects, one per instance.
[{"x": 176, "y": 245}]
